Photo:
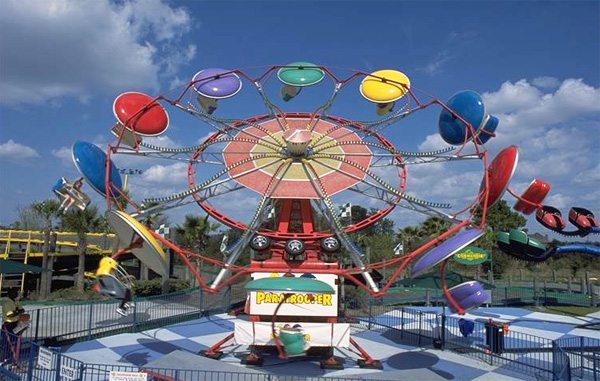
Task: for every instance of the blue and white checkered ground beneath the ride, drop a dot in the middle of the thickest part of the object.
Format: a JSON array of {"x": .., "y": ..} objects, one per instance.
[{"x": 400, "y": 361}]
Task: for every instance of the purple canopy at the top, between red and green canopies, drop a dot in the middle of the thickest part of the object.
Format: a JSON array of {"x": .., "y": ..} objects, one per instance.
[{"x": 212, "y": 84}]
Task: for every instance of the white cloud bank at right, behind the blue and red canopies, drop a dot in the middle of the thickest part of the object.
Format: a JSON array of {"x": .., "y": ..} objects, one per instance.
[{"x": 556, "y": 126}]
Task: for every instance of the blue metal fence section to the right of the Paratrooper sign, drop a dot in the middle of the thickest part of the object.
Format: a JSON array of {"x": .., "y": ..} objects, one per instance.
[{"x": 536, "y": 356}]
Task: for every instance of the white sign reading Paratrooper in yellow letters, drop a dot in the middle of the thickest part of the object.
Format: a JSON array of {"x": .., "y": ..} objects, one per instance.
[{"x": 296, "y": 304}]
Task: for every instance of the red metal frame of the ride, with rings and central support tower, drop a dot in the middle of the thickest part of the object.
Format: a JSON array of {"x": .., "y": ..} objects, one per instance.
[{"x": 288, "y": 216}]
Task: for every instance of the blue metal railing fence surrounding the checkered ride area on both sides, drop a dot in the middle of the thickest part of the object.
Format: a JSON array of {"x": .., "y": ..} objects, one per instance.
[{"x": 540, "y": 357}]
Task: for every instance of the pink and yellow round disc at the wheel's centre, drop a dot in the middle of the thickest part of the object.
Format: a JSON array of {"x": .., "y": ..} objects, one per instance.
[{"x": 331, "y": 151}]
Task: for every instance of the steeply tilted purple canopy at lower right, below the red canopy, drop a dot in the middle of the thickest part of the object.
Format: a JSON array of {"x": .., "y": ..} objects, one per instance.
[{"x": 445, "y": 250}]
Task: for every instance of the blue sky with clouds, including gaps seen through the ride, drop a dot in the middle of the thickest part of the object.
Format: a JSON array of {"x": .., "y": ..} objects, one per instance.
[{"x": 536, "y": 65}]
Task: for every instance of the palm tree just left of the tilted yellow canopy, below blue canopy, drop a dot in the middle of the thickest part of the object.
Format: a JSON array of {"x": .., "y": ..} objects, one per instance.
[{"x": 82, "y": 222}]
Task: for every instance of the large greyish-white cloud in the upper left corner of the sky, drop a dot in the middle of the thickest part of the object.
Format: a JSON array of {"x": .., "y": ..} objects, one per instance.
[{"x": 81, "y": 45}]
